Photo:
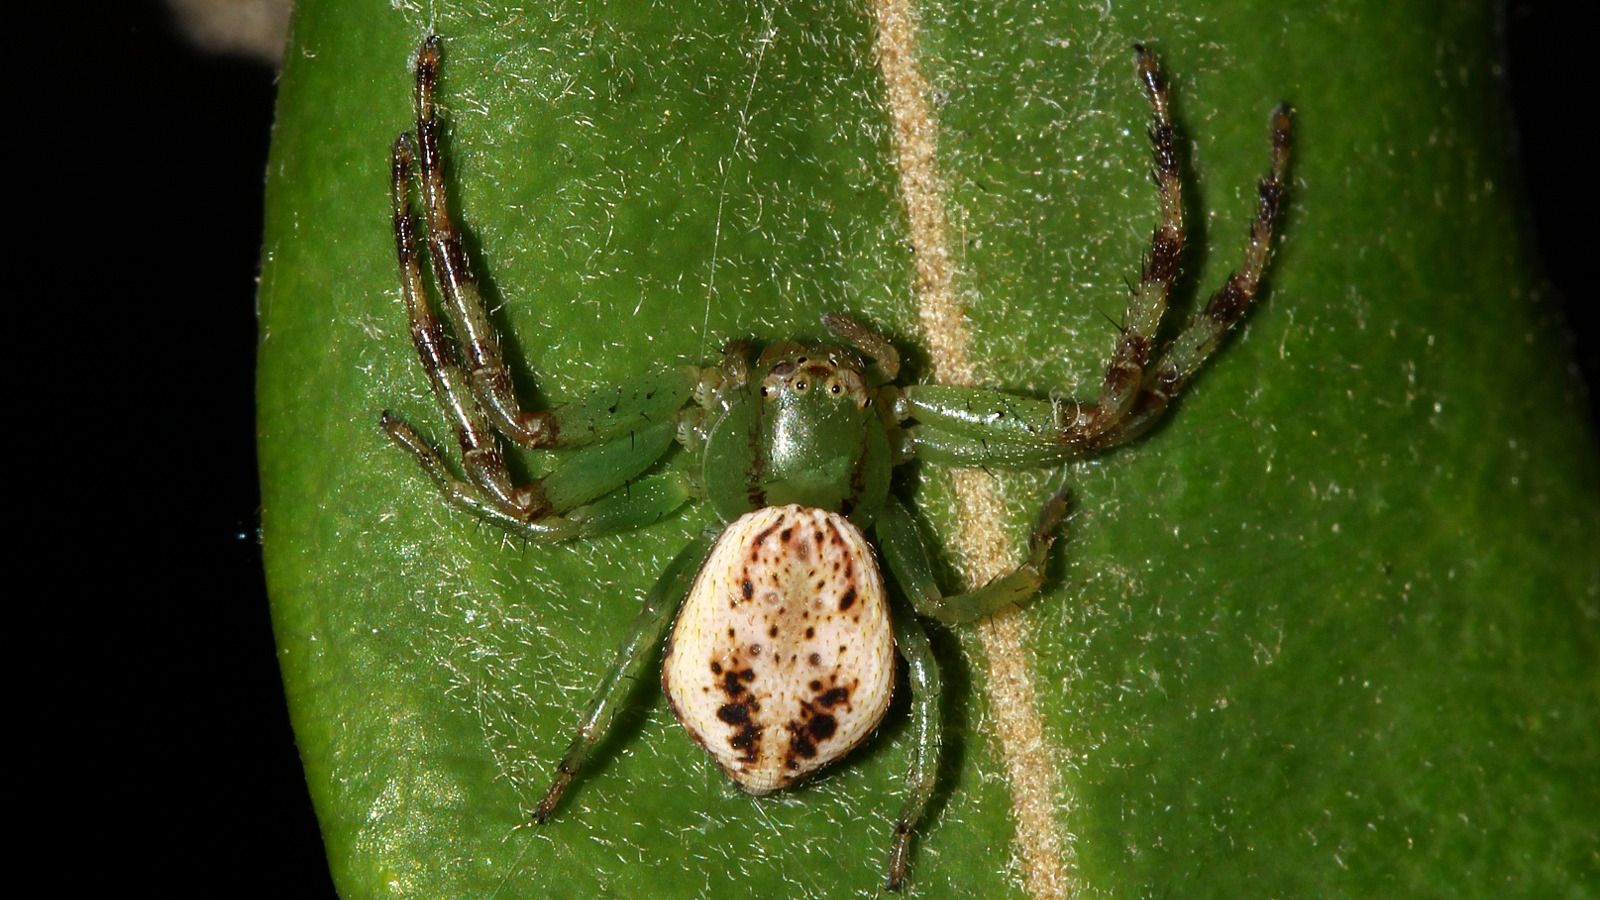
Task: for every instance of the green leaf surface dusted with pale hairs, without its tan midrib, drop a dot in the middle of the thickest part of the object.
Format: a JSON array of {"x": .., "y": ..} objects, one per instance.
[{"x": 1332, "y": 630}]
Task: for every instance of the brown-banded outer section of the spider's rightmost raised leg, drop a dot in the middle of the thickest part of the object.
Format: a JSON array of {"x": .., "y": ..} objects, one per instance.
[{"x": 1202, "y": 335}]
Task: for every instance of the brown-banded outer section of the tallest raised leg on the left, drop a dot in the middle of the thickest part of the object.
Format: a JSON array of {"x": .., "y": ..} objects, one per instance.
[{"x": 486, "y": 366}]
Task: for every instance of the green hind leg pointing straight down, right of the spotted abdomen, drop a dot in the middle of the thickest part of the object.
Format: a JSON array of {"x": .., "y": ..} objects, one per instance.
[{"x": 927, "y": 737}]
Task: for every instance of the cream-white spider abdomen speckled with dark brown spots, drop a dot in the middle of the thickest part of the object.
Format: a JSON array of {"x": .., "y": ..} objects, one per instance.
[{"x": 783, "y": 656}]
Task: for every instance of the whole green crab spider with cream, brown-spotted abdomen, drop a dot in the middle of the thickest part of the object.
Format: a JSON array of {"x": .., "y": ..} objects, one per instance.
[{"x": 782, "y": 657}]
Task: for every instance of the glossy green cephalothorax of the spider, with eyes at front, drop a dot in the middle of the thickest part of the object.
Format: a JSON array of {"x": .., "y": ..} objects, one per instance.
[{"x": 802, "y": 430}]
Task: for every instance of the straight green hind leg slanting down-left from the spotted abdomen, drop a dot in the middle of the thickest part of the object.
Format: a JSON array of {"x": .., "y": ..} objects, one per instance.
[{"x": 644, "y": 637}]
